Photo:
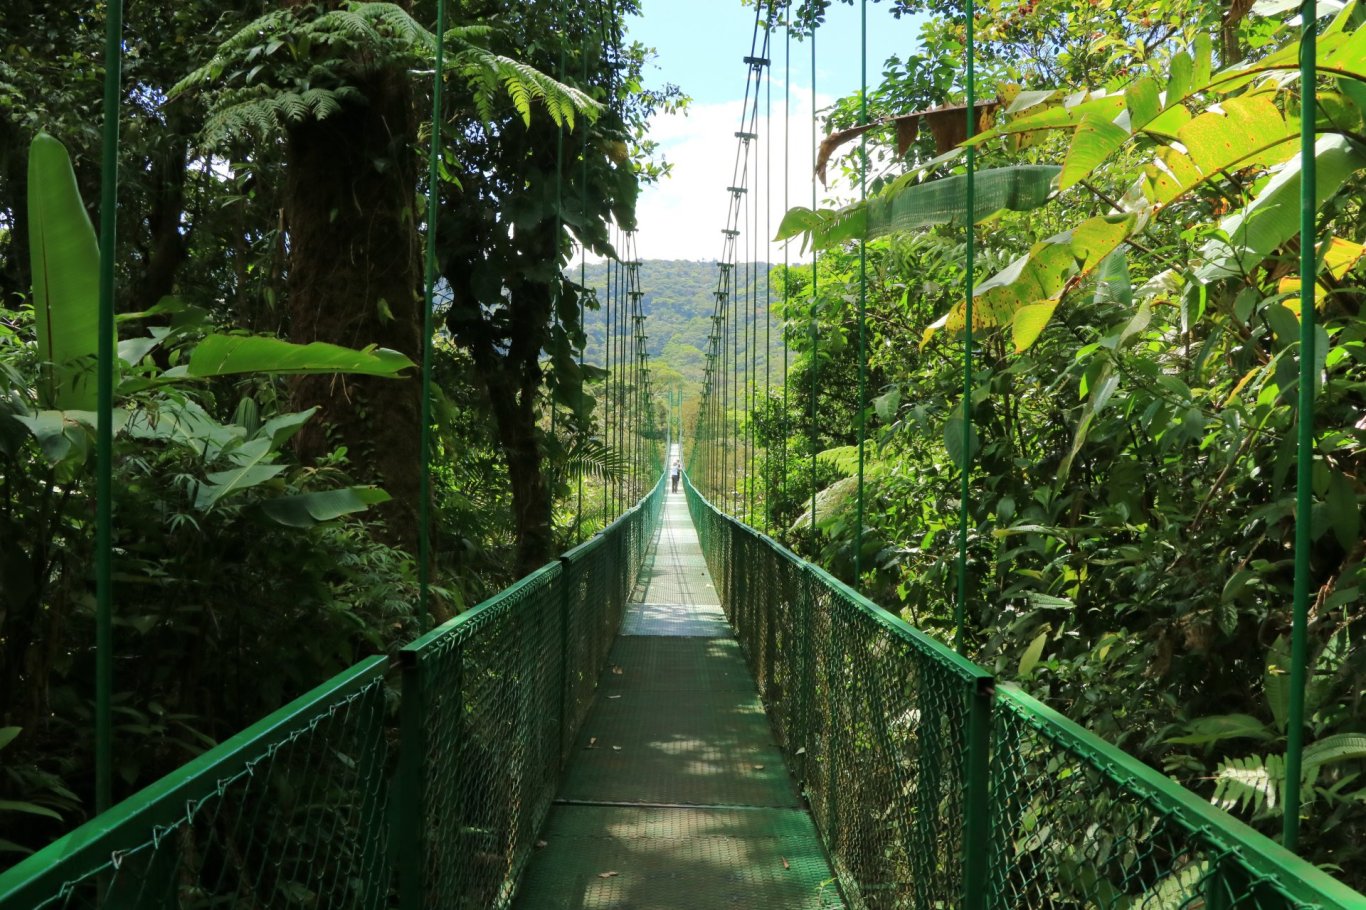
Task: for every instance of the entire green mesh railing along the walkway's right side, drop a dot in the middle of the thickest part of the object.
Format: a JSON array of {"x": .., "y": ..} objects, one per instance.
[{"x": 934, "y": 788}]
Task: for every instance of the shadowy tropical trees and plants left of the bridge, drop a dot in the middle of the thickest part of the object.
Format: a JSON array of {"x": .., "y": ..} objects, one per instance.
[{"x": 268, "y": 326}]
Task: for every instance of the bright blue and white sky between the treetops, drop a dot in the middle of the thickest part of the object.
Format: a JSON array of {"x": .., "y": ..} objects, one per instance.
[{"x": 700, "y": 47}]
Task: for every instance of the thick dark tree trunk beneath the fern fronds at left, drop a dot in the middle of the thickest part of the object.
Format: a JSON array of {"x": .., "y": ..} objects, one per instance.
[{"x": 354, "y": 281}]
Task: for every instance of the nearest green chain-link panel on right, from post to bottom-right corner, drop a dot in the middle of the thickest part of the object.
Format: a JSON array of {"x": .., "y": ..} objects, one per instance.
[{"x": 1077, "y": 823}]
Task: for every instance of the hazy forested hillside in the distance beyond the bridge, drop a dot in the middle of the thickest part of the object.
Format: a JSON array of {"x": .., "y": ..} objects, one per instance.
[{"x": 678, "y": 303}]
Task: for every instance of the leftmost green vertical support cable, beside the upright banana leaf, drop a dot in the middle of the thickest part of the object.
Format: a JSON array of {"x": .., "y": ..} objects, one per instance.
[{"x": 104, "y": 412}]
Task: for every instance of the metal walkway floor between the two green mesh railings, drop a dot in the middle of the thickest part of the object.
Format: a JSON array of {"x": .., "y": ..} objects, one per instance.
[{"x": 677, "y": 797}]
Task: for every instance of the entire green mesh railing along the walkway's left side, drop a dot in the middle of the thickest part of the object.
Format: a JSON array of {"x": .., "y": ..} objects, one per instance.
[{"x": 297, "y": 811}]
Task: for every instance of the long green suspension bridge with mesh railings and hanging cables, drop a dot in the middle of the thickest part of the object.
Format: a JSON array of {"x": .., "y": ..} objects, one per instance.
[{"x": 678, "y": 713}]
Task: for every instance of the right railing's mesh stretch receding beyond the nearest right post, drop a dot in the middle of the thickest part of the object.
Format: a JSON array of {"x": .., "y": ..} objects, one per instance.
[{"x": 875, "y": 719}]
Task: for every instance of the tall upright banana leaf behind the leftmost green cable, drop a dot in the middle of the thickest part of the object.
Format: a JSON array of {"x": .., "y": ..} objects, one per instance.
[{"x": 66, "y": 279}]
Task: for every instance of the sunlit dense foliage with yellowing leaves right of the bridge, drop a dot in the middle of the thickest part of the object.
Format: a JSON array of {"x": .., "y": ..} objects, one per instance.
[{"x": 1136, "y": 359}]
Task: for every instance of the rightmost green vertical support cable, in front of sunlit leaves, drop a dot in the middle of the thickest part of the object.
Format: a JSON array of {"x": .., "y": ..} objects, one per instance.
[{"x": 1305, "y": 416}]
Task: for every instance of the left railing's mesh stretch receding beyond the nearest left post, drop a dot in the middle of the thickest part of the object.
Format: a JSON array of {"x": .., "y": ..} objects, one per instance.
[{"x": 492, "y": 703}]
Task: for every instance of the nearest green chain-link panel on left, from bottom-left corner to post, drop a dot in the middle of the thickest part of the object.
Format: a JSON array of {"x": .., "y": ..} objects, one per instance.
[{"x": 289, "y": 814}]
